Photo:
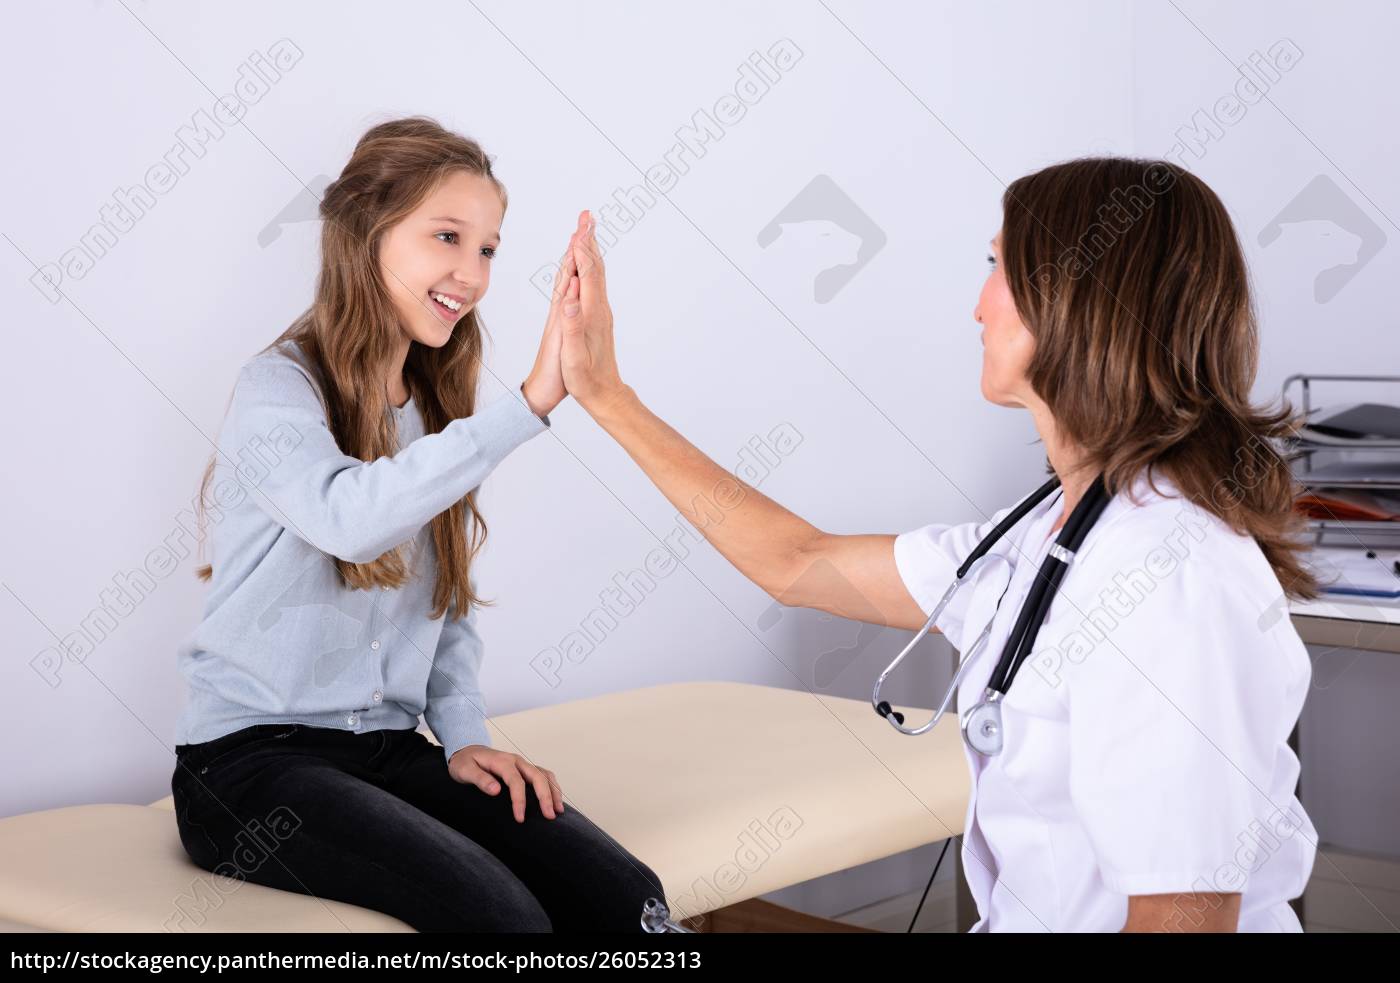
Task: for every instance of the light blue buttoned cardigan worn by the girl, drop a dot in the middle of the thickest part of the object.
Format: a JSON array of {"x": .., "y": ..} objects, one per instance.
[{"x": 282, "y": 641}]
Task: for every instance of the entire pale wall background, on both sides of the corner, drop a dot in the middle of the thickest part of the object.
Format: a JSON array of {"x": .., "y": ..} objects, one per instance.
[{"x": 902, "y": 121}]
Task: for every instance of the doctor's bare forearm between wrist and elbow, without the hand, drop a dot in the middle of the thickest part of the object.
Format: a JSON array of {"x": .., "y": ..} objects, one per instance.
[{"x": 759, "y": 537}]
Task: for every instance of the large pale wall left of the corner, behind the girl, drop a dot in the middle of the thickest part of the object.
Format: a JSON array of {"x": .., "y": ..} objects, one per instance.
[{"x": 722, "y": 337}]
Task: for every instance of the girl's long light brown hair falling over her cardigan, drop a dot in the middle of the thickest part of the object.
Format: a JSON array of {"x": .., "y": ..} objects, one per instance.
[{"x": 351, "y": 331}]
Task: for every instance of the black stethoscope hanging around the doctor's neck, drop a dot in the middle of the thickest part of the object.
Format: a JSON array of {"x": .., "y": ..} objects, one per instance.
[{"x": 982, "y": 725}]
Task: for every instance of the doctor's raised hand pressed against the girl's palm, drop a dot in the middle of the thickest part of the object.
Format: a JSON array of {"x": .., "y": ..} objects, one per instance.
[{"x": 587, "y": 356}]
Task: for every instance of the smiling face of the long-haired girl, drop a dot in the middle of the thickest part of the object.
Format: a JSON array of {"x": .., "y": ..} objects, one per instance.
[{"x": 443, "y": 249}]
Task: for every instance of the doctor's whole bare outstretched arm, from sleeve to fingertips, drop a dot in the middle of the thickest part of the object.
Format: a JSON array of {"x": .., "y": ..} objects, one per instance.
[{"x": 799, "y": 565}]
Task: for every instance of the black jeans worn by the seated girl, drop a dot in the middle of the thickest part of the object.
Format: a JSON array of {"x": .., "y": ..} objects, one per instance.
[{"x": 376, "y": 820}]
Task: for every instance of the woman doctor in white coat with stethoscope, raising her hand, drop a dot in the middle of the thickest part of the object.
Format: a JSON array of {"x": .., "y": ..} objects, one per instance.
[{"x": 1143, "y": 778}]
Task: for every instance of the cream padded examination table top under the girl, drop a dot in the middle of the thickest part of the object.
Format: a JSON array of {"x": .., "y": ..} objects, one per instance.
[{"x": 726, "y": 790}]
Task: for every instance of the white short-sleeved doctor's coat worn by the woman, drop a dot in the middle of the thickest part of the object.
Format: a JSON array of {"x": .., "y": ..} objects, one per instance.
[{"x": 1146, "y": 739}]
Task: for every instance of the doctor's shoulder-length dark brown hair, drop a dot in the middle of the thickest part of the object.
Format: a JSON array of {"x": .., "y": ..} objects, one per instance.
[{"x": 1130, "y": 278}]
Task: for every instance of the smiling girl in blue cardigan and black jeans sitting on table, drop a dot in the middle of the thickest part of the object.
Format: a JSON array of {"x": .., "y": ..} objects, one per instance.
[{"x": 341, "y": 603}]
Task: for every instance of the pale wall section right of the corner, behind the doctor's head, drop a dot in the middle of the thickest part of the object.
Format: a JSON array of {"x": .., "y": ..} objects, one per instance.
[{"x": 1324, "y": 134}]
